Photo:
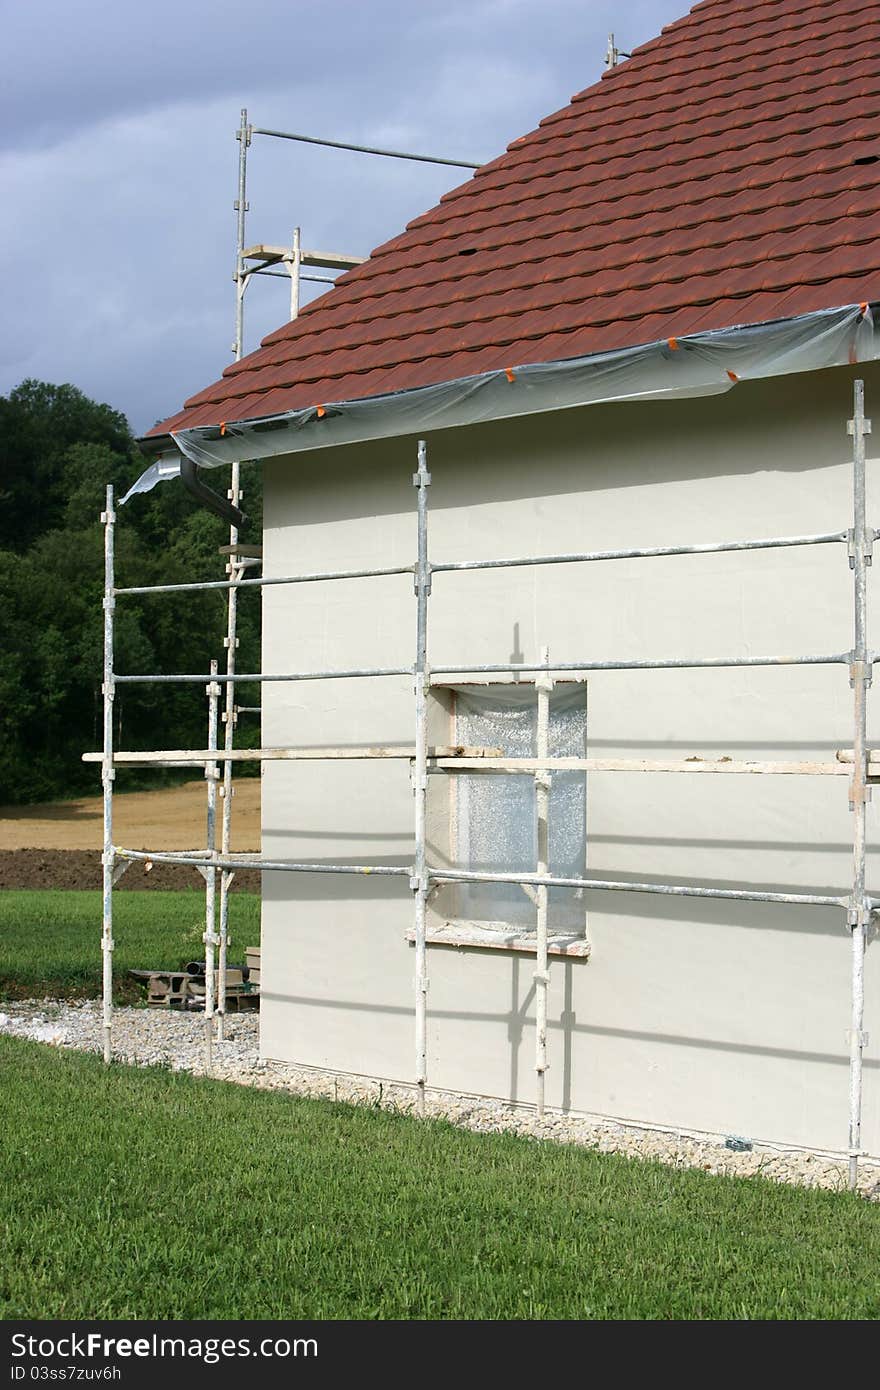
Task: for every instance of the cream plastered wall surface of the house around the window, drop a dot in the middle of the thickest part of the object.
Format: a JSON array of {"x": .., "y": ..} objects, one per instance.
[{"x": 707, "y": 1015}]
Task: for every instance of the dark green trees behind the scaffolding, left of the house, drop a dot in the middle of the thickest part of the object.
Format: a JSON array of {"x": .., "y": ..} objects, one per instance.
[{"x": 59, "y": 451}]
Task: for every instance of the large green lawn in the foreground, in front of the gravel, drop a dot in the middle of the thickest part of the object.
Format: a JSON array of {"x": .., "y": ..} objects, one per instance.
[{"x": 134, "y": 1193}]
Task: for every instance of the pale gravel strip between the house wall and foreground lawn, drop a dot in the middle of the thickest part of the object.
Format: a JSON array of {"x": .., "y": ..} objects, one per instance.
[{"x": 149, "y": 1038}]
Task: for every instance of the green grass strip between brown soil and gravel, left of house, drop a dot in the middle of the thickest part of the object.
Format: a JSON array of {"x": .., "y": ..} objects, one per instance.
[{"x": 51, "y": 940}]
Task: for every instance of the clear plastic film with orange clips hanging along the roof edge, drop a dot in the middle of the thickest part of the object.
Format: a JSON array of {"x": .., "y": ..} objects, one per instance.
[{"x": 700, "y": 365}]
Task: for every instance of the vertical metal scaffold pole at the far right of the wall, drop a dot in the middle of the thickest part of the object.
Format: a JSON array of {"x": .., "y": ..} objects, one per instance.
[{"x": 861, "y": 671}]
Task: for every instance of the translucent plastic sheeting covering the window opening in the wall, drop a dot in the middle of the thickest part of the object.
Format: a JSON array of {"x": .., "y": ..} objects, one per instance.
[{"x": 496, "y": 826}]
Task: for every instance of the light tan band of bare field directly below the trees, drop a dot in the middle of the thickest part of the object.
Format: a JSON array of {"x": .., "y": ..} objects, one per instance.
[{"x": 168, "y": 819}]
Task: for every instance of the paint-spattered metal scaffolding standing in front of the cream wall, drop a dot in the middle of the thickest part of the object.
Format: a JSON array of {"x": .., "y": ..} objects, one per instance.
[{"x": 858, "y": 765}]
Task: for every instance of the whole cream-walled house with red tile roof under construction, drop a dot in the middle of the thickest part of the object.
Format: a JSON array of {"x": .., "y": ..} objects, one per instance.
[{"x": 637, "y": 329}]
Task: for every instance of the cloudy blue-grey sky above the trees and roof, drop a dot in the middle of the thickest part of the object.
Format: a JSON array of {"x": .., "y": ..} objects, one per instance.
[{"x": 119, "y": 159}]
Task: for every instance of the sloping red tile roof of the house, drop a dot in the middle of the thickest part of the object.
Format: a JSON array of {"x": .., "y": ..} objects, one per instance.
[{"x": 726, "y": 174}]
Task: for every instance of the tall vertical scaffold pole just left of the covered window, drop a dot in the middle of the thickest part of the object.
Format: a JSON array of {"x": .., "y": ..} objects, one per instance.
[{"x": 421, "y": 882}]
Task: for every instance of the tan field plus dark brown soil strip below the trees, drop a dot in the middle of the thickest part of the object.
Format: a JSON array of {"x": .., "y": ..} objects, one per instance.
[{"x": 58, "y": 846}]
